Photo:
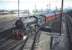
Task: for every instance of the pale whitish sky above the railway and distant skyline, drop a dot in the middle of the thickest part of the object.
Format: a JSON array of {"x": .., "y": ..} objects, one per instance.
[{"x": 32, "y": 4}]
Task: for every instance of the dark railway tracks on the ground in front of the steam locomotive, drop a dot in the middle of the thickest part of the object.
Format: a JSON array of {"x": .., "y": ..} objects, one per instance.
[{"x": 8, "y": 43}]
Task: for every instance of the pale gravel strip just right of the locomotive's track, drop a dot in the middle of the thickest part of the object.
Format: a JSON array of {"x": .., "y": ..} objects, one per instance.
[{"x": 44, "y": 43}]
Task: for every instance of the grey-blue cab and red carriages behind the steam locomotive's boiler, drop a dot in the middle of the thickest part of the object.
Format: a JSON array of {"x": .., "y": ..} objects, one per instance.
[{"x": 44, "y": 19}]
